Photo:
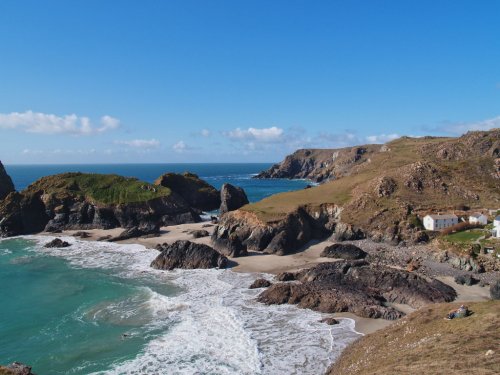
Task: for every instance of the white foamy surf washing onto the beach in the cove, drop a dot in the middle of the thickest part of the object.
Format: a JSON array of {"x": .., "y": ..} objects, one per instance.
[{"x": 215, "y": 326}]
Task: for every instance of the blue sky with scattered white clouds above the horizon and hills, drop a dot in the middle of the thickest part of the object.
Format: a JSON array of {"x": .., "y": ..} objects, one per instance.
[{"x": 239, "y": 81}]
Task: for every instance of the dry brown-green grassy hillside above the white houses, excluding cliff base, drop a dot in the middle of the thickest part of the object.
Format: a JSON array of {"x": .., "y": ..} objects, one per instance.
[{"x": 427, "y": 173}]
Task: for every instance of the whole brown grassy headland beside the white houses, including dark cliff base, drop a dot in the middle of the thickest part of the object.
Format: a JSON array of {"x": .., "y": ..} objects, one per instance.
[{"x": 380, "y": 197}]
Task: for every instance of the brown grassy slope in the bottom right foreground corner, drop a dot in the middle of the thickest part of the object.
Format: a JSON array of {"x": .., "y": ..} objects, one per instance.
[{"x": 425, "y": 343}]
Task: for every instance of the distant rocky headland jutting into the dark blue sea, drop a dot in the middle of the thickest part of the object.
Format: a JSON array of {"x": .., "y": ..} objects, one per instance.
[{"x": 321, "y": 165}]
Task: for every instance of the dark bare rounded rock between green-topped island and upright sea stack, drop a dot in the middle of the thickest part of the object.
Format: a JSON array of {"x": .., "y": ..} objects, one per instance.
[{"x": 196, "y": 192}]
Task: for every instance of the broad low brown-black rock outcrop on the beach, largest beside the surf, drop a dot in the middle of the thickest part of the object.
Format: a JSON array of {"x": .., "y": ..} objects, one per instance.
[{"x": 357, "y": 287}]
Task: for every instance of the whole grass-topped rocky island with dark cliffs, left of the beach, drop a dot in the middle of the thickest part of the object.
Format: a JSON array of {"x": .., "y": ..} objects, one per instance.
[{"x": 84, "y": 201}]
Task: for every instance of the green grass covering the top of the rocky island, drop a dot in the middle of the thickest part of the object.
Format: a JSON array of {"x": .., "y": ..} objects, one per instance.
[{"x": 99, "y": 188}]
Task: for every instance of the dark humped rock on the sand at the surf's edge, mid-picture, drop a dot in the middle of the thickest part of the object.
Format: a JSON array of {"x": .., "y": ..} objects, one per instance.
[{"x": 188, "y": 255}]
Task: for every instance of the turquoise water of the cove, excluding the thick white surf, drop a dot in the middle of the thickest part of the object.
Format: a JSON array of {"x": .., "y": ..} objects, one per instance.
[{"x": 64, "y": 319}]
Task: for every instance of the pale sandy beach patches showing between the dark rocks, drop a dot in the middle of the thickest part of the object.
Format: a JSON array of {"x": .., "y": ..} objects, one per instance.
[{"x": 274, "y": 264}]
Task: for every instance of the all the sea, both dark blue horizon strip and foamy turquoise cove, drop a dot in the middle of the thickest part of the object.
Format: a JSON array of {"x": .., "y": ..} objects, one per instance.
[{"x": 98, "y": 308}]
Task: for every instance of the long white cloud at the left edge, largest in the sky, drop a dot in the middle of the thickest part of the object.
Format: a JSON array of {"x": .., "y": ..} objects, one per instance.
[{"x": 43, "y": 123}]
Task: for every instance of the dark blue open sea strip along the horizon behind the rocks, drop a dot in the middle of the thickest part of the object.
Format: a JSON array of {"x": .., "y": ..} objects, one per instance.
[{"x": 214, "y": 174}]
